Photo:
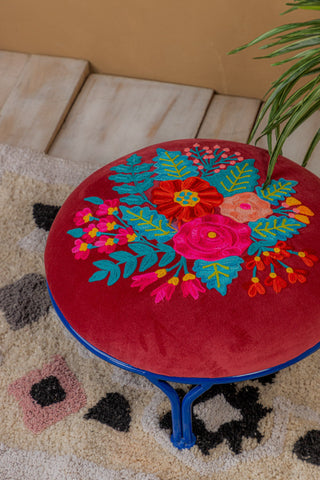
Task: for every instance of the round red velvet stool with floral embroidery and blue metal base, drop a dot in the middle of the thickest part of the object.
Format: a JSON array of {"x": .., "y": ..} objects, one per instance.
[{"x": 175, "y": 263}]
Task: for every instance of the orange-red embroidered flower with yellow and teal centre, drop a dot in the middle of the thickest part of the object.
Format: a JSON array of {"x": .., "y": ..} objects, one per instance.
[{"x": 187, "y": 199}]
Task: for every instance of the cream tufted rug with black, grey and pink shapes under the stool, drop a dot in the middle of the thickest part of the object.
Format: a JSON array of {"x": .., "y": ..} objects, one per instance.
[{"x": 70, "y": 416}]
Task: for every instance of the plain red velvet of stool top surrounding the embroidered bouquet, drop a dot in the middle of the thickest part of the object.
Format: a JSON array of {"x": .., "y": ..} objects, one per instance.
[{"x": 210, "y": 337}]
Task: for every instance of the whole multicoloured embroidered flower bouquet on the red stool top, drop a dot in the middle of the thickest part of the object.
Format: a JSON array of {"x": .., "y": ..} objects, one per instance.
[{"x": 191, "y": 220}]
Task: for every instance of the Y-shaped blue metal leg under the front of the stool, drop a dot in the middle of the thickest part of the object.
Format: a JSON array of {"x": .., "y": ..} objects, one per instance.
[{"x": 181, "y": 411}]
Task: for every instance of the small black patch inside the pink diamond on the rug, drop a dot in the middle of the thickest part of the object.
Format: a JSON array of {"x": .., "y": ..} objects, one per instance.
[{"x": 48, "y": 391}]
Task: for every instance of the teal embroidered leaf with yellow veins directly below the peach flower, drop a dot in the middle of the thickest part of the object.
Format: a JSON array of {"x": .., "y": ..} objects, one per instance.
[{"x": 275, "y": 228}]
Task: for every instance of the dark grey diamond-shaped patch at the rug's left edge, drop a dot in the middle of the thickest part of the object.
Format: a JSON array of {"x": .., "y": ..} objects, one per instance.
[{"x": 25, "y": 301}]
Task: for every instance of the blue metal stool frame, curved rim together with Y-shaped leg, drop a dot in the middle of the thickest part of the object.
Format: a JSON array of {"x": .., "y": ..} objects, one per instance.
[{"x": 182, "y": 435}]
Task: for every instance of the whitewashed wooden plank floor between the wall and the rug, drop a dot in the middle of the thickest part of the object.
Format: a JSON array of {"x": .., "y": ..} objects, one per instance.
[{"x": 55, "y": 105}]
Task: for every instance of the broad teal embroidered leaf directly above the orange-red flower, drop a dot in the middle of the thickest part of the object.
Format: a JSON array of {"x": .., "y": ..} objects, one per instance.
[{"x": 174, "y": 165}]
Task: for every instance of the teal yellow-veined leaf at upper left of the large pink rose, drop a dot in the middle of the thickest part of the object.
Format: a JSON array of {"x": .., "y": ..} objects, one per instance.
[{"x": 149, "y": 223}]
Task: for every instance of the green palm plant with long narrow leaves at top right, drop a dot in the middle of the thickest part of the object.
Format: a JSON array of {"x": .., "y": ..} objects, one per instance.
[{"x": 295, "y": 95}]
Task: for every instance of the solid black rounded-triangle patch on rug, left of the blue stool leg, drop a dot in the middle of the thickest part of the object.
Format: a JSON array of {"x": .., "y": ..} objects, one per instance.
[{"x": 113, "y": 410}]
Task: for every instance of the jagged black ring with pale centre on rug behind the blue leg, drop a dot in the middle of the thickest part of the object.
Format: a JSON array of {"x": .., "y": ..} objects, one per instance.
[{"x": 244, "y": 401}]
